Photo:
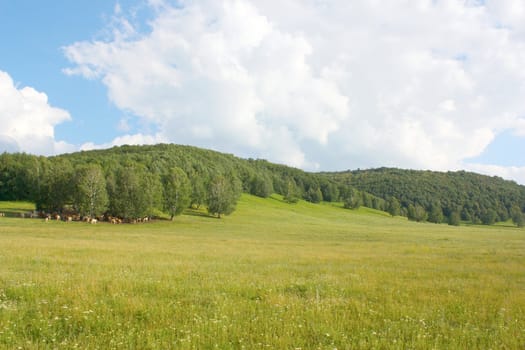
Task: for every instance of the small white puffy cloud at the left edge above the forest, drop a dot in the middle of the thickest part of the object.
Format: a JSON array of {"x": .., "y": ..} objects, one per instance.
[{"x": 28, "y": 120}]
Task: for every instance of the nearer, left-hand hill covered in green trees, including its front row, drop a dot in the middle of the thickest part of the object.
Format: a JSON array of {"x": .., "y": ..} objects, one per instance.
[{"x": 146, "y": 178}]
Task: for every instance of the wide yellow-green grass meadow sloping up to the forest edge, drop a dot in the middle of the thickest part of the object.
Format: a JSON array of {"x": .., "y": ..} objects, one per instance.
[{"x": 270, "y": 276}]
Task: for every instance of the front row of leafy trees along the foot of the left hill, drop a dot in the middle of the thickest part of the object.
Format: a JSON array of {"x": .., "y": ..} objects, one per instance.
[{"x": 128, "y": 190}]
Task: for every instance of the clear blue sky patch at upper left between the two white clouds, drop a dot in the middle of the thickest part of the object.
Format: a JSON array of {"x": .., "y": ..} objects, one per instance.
[{"x": 33, "y": 34}]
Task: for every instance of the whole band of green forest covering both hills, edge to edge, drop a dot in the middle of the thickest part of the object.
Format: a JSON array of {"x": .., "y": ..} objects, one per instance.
[{"x": 145, "y": 181}]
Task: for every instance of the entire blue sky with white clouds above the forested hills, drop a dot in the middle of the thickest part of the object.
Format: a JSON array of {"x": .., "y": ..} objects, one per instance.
[{"x": 323, "y": 85}]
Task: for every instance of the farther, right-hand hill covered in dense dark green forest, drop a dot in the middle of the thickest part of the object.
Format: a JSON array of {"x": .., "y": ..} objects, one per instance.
[{"x": 474, "y": 197}]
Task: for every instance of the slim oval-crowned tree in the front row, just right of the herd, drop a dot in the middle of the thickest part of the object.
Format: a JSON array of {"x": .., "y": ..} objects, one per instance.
[{"x": 177, "y": 190}]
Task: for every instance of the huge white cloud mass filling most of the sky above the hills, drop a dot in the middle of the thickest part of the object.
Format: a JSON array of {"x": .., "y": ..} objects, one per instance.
[{"x": 335, "y": 85}]
